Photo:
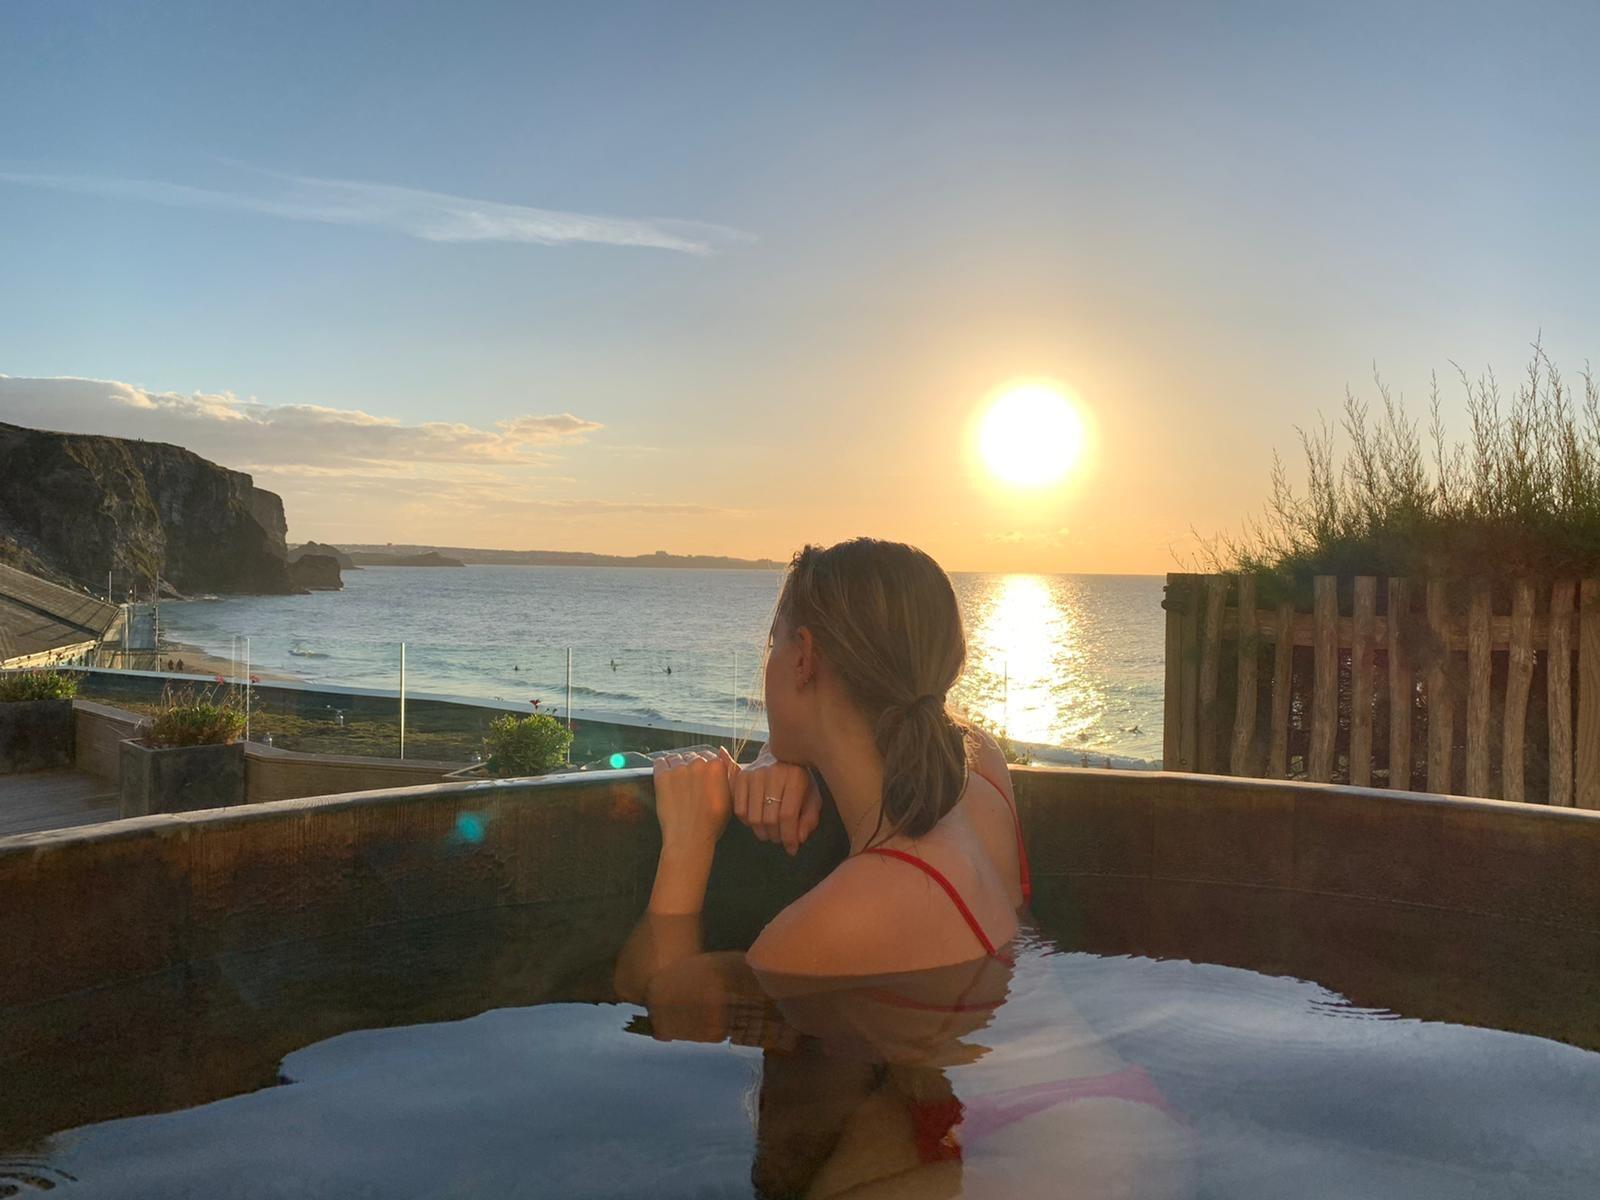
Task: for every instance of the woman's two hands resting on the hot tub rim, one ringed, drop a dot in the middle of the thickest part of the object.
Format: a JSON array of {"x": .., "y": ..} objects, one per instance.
[{"x": 697, "y": 793}]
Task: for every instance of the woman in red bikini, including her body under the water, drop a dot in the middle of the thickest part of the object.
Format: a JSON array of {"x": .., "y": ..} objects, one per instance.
[{"x": 903, "y": 951}]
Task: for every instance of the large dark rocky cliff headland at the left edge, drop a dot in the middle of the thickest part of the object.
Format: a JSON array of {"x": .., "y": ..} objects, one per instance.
[{"x": 82, "y": 505}]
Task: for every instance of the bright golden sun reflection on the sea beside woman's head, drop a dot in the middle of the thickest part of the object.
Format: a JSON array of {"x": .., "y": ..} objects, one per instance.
[{"x": 1026, "y": 660}]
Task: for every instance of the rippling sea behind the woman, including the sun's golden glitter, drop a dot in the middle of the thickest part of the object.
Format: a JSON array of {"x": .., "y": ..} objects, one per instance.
[{"x": 1068, "y": 665}]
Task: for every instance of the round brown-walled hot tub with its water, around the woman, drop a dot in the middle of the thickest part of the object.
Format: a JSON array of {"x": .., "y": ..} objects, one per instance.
[{"x": 1298, "y": 990}]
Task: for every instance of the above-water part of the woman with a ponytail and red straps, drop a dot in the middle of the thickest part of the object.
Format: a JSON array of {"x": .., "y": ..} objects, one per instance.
[{"x": 865, "y": 649}]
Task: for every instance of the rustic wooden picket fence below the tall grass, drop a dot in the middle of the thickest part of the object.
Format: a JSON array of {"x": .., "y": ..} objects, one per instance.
[{"x": 1473, "y": 687}]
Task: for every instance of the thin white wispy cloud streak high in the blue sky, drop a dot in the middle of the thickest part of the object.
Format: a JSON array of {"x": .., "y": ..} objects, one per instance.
[{"x": 433, "y": 217}]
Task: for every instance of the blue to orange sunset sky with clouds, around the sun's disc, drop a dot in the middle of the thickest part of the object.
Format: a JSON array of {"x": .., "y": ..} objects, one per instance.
[{"x": 730, "y": 279}]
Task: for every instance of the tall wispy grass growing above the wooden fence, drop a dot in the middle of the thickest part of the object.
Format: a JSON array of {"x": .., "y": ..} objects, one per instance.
[{"x": 1518, "y": 497}]
